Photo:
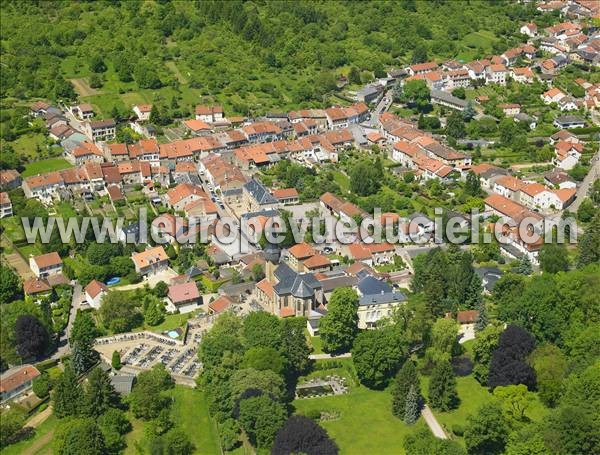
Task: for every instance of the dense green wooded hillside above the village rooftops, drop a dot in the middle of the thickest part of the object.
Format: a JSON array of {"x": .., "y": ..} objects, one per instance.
[{"x": 249, "y": 56}]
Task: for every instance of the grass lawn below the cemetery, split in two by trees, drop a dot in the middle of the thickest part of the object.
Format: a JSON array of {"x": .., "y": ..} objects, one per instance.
[{"x": 190, "y": 413}]
